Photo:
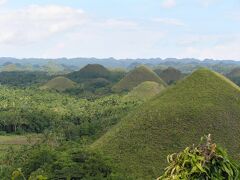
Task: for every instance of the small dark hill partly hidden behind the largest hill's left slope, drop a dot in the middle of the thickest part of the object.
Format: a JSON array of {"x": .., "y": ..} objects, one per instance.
[{"x": 169, "y": 75}]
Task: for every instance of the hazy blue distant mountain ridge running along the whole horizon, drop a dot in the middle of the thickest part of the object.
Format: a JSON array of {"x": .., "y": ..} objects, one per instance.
[{"x": 186, "y": 65}]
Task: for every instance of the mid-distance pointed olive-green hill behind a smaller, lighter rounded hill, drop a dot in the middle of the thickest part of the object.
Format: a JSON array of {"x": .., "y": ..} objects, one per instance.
[{"x": 136, "y": 77}]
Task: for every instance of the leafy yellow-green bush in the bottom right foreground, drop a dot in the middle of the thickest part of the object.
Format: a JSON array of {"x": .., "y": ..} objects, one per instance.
[{"x": 206, "y": 161}]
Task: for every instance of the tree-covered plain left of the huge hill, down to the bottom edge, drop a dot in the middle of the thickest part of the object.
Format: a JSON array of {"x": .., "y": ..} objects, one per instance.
[{"x": 67, "y": 125}]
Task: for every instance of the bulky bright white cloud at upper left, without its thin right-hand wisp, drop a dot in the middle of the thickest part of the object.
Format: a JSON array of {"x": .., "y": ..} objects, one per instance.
[{"x": 34, "y": 23}]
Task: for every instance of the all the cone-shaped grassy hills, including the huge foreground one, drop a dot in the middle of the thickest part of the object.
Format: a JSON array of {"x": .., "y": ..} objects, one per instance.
[{"x": 169, "y": 119}]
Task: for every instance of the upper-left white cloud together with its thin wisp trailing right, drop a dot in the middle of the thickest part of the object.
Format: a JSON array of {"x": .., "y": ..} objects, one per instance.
[{"x": 41, "y": 23}]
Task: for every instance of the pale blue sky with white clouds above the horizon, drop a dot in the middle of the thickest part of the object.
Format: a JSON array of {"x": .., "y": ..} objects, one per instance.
[{"x": 120, "y": 28}]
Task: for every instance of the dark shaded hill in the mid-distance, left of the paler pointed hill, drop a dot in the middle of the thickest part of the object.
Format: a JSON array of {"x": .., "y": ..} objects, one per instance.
[{"x": 91, "y": 71}]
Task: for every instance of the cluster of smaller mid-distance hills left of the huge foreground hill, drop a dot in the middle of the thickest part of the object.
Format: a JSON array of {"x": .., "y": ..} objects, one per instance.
[{"x": 141, "y": 82}]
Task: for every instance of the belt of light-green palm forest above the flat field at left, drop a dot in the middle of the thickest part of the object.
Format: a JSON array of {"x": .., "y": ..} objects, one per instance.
[{"x": 33, "y": 110}]
